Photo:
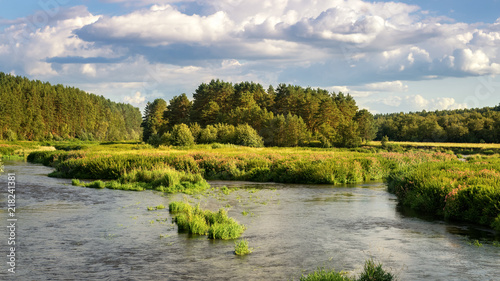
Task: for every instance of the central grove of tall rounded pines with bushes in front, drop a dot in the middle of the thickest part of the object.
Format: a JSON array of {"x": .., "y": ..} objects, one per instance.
[{"x": 246, "y": 113}]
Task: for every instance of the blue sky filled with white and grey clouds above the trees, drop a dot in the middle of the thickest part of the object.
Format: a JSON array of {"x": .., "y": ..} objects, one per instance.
[{"x": 391, "y": 56}]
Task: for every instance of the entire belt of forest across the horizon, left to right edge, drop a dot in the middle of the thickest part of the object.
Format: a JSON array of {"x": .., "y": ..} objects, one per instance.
[{"x": 243, "y": 113}]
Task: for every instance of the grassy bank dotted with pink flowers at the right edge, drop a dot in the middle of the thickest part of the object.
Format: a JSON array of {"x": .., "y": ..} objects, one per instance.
[{"x": 464, "y": 191}]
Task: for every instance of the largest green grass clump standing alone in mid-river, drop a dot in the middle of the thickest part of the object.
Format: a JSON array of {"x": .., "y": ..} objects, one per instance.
[{"x": 217, "y": 225}]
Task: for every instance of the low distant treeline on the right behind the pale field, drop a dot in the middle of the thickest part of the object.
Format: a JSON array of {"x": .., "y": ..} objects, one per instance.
[{"x": 462, "y": 125}]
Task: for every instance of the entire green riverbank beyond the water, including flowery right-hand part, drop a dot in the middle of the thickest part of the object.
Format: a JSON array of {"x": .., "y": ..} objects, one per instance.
[{"x": 421, "y": 179}]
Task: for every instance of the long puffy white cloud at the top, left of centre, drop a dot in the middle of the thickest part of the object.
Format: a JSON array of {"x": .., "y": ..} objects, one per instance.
[{"x": 159, "y": 25}]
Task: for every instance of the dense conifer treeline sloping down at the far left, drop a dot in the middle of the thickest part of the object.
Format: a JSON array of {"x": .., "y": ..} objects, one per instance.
[{"x": 33, "y": 110}]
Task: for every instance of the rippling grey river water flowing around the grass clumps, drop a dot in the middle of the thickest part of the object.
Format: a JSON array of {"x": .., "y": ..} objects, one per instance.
[{"x": 65, "y": 232}]
